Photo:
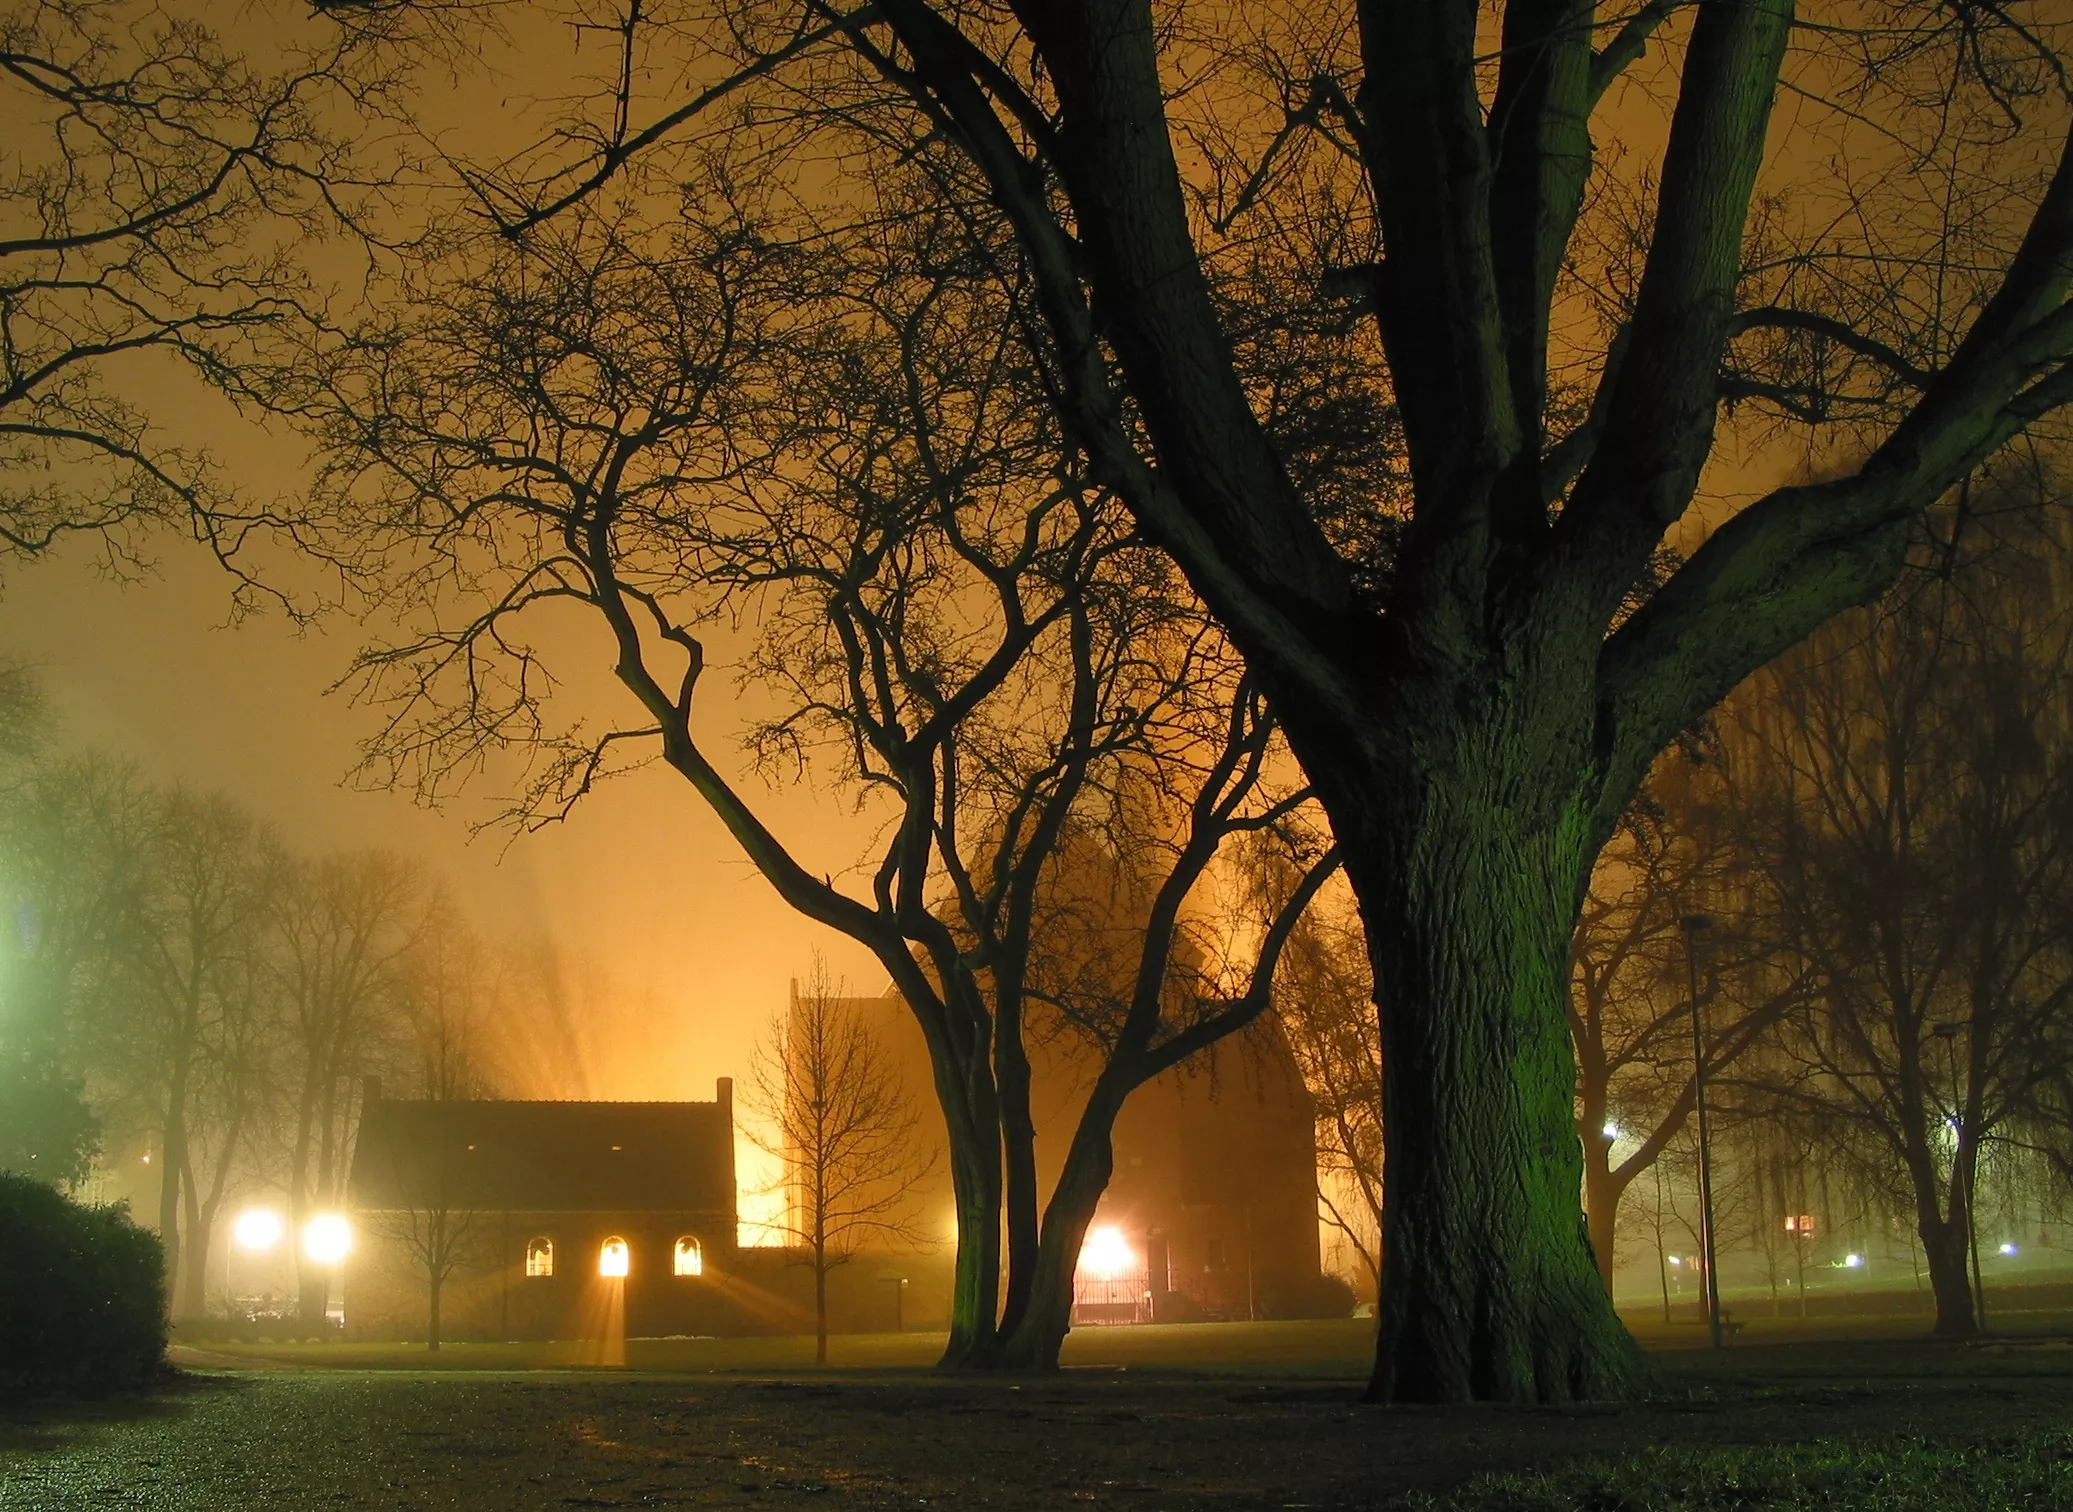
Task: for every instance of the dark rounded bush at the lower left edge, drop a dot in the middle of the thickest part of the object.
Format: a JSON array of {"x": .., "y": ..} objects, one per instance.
[{"x": 82, "y": 1295}]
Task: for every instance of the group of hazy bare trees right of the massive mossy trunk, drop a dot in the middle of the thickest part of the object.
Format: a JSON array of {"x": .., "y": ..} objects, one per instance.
[{"x": 1867, "y": 866}]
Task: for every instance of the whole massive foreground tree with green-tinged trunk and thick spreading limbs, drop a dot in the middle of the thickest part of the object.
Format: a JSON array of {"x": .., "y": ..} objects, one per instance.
[{"x": 1479, "y": 683}]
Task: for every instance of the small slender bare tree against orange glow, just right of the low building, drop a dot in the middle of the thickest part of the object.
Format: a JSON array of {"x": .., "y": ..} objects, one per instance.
[{"x": 836, "y": 1113}]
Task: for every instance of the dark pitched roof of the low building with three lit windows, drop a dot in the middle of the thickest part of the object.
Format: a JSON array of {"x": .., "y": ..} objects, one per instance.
[{"x": 546, "y": 1156}]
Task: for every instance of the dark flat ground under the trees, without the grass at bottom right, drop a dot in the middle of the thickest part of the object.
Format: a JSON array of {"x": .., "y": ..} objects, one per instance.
[{"x": 1189, "y": 1418}]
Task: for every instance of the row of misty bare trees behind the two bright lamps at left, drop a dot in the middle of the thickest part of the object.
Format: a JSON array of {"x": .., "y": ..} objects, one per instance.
[{"x": 188, "y": 990}]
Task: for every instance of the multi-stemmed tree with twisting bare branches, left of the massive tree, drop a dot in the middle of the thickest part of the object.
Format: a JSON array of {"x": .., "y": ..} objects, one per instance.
[{"x": 843, "y": 453}]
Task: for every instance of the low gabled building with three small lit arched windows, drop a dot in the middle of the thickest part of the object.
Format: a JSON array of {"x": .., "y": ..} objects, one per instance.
[{"x": 544, "y": 1221}]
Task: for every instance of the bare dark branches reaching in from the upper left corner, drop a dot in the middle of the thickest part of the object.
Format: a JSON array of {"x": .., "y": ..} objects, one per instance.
[{"x": 157, "y": 190}]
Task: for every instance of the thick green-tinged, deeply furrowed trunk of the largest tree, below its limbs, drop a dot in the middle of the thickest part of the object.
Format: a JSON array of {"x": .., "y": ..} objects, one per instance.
[{"x": 1469, "y": 878}]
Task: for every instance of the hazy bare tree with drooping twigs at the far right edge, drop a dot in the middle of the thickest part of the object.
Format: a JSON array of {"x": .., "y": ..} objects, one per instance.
[{"x": 1908, "y": 806}]
